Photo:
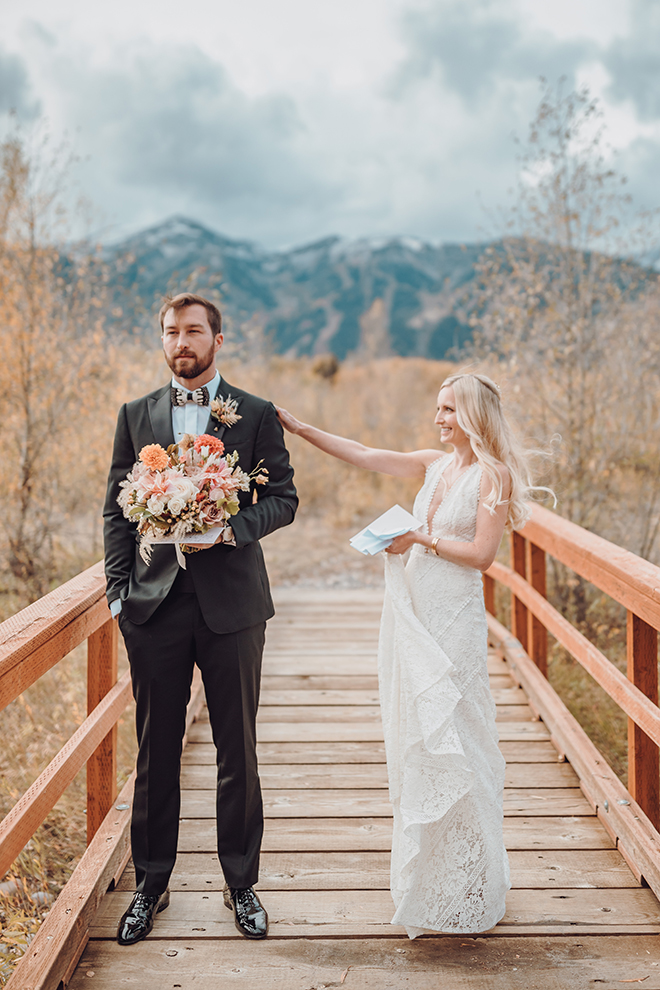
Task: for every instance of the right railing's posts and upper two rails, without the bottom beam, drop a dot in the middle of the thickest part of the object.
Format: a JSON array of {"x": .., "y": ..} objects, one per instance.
[{"x": 626, "y": 578}]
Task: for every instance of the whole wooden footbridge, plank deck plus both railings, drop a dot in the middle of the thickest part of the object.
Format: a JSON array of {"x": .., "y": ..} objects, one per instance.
[{"x": 584, "y": 851}]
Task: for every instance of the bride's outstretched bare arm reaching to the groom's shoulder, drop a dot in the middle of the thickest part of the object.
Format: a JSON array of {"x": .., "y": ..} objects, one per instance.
[{"x": 401, "y": 465}]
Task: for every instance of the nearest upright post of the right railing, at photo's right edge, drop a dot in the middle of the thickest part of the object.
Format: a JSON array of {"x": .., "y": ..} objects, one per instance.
[{"x": 643, "y": 765}]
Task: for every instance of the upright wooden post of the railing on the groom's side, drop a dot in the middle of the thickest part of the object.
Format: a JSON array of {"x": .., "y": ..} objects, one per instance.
[{"x": 102, "y": 765}]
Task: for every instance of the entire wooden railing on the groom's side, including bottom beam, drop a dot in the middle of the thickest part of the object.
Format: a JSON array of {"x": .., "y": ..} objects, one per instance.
[{"x": 31, "y": 643}]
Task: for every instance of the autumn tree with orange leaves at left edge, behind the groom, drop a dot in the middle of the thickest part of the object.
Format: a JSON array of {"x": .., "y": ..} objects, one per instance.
[{"x": 55, "y": 374}]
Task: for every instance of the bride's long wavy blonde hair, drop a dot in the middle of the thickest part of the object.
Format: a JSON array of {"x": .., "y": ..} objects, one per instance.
[{"x": 480, "y": 416}]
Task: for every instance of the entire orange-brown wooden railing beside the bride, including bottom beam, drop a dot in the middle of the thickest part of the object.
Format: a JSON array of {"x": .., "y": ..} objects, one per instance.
[{"x": 632, "y": 816}]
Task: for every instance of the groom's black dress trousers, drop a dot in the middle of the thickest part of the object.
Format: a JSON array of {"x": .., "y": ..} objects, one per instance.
[{"x": 162, "y": 654}]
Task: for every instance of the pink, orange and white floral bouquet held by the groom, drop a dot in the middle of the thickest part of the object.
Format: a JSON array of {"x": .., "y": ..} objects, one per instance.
[{"x": 185, "y": 490}]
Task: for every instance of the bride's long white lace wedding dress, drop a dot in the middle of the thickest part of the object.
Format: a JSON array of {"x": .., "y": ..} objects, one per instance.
[{"x": 450, "y": 871}]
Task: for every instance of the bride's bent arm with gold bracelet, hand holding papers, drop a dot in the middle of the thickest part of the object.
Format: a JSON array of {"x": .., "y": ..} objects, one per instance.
[{"x": 482, "y": 551}]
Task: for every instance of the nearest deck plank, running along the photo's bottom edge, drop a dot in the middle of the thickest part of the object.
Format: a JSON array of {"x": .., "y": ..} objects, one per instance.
[{"x": 568, "y": 962}]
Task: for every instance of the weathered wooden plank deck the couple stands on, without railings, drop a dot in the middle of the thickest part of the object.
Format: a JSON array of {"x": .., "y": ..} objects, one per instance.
[{"x": 576, "y": 915}]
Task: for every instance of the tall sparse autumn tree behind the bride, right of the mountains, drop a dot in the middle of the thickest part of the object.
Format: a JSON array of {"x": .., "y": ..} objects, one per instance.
[{"x": 572, "y": 320}]
